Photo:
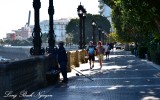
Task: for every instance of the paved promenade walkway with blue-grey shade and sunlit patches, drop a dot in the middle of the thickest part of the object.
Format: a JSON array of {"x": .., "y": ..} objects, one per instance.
[{"x": 123, "y": 77}]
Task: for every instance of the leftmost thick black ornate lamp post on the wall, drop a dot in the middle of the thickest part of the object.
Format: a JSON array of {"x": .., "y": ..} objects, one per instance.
[{"x": 37, "y": 34}]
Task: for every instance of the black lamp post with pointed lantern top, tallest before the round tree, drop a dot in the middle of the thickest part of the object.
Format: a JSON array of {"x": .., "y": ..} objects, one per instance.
[{"x": 80, "y": 14}]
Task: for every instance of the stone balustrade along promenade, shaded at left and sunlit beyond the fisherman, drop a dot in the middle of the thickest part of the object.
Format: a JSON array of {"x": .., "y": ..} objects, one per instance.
[{"x": 30, "y": 74}]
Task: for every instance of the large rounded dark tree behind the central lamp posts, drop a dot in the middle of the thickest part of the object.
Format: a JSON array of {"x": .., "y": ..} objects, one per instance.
[{"x": 73, "y": 27}]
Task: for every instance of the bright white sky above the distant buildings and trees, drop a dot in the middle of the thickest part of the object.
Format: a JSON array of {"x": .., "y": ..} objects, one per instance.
[{"x": 14, "y": 13}]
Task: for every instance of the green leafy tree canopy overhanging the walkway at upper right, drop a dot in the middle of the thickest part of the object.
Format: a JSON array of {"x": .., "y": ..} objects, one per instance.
[{"x": 135, "y": 20}]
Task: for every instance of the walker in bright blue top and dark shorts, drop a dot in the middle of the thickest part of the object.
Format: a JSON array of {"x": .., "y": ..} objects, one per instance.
[{"x": 91, "y": 54}]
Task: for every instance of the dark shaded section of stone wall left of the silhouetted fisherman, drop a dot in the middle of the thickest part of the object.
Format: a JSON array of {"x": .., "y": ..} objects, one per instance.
[{"x": 23, "y": 75}]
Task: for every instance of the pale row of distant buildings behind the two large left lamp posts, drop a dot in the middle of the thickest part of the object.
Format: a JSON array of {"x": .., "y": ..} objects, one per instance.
[{"x": 26, "y": 32}]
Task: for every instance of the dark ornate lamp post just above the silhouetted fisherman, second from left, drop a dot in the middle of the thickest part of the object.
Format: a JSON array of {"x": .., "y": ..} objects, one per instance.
[{"x": 51, "y": 36}]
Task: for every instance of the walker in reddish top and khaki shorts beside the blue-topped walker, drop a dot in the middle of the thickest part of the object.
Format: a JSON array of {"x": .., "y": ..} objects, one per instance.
[{"x": 100, "y": 52}]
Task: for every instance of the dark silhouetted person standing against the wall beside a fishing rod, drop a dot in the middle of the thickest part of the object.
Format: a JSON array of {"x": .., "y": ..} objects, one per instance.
[{"x": 62, "y": 60}]
